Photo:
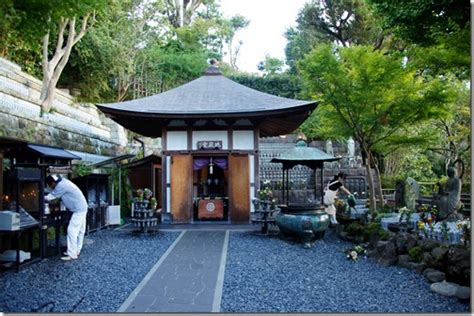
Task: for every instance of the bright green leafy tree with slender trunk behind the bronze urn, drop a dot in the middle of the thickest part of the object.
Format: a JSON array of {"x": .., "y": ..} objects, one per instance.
[{"x": 368, "y": 95}]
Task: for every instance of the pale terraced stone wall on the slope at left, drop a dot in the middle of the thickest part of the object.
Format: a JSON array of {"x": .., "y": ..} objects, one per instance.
[{"x": 71, "y": 125}]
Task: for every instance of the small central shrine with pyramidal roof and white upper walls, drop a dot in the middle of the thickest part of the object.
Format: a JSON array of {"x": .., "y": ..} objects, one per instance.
[{"x": 210, "y": 130}]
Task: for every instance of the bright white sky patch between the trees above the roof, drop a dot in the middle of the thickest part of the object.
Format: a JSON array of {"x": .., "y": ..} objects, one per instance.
[{"x": 269, "y": 20}]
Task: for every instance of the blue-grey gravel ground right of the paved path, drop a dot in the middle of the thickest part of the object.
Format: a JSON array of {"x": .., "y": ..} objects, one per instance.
[{"x": 270, "y": 274}]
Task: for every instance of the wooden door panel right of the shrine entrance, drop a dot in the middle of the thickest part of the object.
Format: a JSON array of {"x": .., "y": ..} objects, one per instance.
[{"x": 239, "y": 188}]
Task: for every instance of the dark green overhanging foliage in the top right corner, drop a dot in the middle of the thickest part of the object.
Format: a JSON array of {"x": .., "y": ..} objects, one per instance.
[{"x": 439, "y": 31}]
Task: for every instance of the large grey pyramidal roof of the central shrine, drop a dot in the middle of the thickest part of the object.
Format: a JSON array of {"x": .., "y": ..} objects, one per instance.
[{"x": 209, "y": 98}]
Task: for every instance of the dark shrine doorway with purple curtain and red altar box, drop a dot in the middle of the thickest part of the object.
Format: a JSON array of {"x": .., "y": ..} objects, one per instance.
[{"x": 210, "y": 188}]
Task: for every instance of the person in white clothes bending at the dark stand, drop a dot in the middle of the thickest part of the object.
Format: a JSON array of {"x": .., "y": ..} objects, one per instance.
[{"x": 75, "y": 202}]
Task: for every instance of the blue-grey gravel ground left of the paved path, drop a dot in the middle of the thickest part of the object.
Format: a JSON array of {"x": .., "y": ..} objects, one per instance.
[{"x": 107, "y": 272}]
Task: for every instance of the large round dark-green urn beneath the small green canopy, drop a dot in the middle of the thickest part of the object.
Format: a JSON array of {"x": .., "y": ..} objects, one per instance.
[{"x": 307, "y": 221}]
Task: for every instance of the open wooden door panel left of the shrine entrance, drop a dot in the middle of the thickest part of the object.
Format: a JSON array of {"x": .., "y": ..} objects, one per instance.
[{"x": 181, "y": 188}]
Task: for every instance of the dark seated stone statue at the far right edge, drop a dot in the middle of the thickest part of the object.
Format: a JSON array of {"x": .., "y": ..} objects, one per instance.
[{"x": 448, "y": 199}]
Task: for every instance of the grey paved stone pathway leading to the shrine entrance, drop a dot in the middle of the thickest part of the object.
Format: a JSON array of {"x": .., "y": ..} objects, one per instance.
[{"x": 188, "y": 278}]
